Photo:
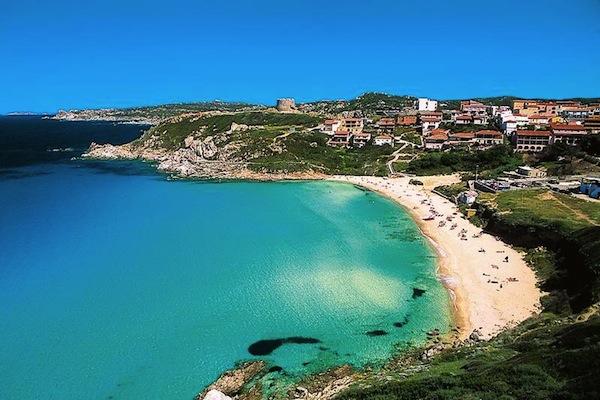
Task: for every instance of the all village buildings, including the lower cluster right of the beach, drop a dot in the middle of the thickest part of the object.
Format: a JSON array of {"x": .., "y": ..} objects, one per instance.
[{"x": 529, "y": 126}]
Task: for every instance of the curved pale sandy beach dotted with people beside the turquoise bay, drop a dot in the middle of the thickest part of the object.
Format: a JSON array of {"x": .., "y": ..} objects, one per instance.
[{"x": 490, "y": 292}]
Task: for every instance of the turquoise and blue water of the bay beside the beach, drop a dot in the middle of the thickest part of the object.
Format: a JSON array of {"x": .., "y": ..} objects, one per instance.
[{"x": 116, "y": 283}]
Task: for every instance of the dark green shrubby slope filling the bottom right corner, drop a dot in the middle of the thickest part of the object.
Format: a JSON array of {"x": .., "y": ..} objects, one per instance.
[{"x": 545, "y": 358}]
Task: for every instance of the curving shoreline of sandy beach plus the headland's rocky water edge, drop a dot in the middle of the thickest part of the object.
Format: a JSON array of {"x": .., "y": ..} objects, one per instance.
[{"x": 488, "y": 294}]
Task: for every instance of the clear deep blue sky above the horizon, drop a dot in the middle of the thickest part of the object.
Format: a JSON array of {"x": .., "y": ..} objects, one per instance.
[{"x": 74, "y": 54}]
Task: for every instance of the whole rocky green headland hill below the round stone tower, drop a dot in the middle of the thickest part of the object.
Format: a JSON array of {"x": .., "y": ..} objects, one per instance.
[{"x": 246, "y": 144}]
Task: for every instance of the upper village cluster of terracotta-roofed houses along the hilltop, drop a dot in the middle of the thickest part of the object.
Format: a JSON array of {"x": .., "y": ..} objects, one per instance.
[{"x": 529, "y": 125}]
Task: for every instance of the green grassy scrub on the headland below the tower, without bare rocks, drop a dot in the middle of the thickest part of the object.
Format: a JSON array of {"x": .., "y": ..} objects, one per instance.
[{"x": 302, "y": 150}]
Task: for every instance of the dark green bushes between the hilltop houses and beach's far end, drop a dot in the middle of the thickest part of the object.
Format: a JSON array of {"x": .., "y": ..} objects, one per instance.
[{"x": 491, "y": 162}]
